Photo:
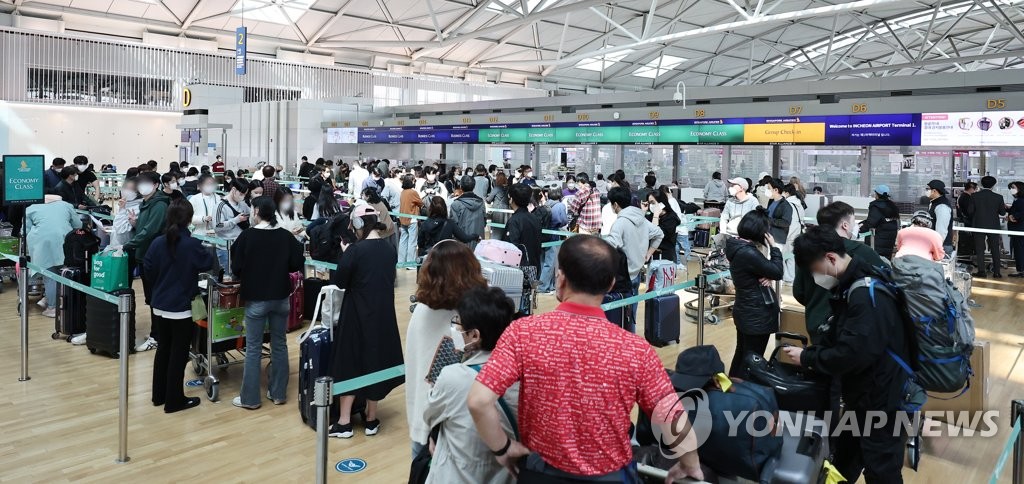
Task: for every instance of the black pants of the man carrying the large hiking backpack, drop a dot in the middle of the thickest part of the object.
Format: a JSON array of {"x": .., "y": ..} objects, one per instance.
[{"x": 879, "y": 455}]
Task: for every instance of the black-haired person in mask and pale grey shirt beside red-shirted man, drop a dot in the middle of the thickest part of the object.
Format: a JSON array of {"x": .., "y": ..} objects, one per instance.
[{"x": 459, "y": 455}]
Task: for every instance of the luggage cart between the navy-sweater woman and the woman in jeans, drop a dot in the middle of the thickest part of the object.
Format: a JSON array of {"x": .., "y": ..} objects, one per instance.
[{"x": 219, "y": 343}]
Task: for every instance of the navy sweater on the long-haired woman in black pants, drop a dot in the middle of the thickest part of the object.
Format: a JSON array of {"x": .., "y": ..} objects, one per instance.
[{"x": 175, "y": 276}]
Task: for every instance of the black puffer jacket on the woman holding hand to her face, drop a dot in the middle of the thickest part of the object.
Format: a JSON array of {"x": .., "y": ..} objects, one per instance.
[{"x": 752, "y": 315}]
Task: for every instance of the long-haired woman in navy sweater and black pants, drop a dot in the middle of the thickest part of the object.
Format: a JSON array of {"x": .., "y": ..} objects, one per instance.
[{"x": 174, "y": 265}]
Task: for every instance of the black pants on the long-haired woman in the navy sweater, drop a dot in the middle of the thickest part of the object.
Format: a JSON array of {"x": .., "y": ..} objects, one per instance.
[{"x": 169, "y": 365}]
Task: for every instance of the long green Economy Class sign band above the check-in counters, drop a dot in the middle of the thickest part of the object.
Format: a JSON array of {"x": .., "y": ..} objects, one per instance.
[{"x": 617, "y": 135}]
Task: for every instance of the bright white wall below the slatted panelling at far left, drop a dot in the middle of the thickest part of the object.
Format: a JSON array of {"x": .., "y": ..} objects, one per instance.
[{"x": 120, "y": 137}]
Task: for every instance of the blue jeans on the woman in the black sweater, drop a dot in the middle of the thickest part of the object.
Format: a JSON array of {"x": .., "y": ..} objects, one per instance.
[{"x": 259, "y": 316}]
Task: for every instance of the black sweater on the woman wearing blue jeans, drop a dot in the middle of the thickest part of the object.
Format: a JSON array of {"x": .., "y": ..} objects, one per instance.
[{"x": 263, "y": 258}]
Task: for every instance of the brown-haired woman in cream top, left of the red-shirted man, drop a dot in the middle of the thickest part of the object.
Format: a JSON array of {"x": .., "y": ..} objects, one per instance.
[{"x": 449, "y": 272}]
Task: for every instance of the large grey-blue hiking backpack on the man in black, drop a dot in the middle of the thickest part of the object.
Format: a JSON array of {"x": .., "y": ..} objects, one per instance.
[{"x": 941, "y": 319}]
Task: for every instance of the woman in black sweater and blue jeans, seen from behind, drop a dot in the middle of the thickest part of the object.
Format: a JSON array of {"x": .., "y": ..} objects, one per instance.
[{"x": 264, "y": 258}]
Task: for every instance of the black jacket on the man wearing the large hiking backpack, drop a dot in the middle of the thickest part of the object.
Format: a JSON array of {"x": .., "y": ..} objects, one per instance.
[{"x": 855, "y": 348}]
